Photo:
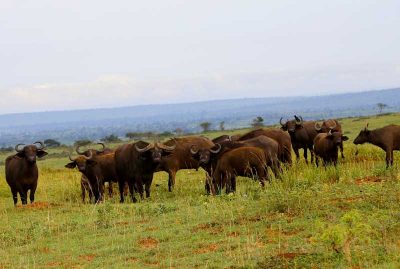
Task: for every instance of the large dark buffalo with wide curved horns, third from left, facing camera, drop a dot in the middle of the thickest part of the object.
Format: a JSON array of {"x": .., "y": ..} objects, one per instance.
[{"x": 135, "y": 164}]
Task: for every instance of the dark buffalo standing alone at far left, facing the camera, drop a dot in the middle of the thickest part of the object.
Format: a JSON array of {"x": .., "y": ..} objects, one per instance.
[{"x": 22, "y": 171}]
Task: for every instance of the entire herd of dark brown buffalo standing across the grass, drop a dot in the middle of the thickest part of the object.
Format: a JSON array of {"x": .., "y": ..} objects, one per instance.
[{"x": 224, "y": 158}]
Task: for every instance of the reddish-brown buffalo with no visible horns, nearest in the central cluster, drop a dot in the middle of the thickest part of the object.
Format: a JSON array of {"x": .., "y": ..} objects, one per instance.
[{"x": 243, "y": 161}]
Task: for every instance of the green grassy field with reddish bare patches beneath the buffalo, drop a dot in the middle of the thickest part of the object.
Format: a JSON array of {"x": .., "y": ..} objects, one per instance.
[{"x": 347, "y": 217}]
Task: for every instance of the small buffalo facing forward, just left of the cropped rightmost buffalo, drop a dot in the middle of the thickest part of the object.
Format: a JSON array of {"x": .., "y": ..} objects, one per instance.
[{"x": 326, "y": 146}]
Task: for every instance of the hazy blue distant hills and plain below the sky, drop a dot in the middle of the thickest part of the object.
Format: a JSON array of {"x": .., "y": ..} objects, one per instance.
[{"x": 68, "y": 126}]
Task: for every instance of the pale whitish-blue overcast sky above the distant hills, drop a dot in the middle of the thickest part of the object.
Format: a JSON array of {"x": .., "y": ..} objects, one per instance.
[{"x": 63, "y": 55}]
